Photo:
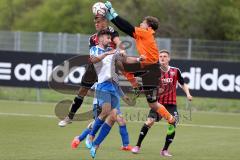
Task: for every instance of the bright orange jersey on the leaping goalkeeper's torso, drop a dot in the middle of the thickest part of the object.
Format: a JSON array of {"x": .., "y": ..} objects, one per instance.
[{"x": 146, "y": 45}]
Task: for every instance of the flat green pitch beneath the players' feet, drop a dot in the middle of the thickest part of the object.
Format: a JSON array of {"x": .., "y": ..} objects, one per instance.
[{"x": 29, "y": 131}]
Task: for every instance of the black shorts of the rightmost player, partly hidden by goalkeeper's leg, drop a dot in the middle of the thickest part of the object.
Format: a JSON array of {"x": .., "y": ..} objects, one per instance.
[{"x": 171, "y": 108}]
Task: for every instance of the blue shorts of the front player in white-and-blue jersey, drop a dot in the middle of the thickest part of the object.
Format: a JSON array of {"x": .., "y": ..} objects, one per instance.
[{"x": 108, "y": 92}]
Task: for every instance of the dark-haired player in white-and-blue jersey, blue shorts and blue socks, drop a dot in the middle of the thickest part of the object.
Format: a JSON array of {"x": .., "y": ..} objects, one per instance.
[{"x": 107, "y": 91}]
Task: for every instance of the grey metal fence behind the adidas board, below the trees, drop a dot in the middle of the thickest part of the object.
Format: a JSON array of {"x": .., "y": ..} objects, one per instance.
[{"x": 78, "y": 43}]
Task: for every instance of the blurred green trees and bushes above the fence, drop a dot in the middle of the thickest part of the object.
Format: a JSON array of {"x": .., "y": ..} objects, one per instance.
[{"x": 202, "y": 19}]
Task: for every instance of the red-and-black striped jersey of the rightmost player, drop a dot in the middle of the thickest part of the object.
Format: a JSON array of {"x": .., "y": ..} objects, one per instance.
[{"x": 168, "y": 85}]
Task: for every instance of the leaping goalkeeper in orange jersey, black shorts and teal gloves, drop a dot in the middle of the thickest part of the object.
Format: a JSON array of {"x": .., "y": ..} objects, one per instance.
[{"x": 149, "y": 57}]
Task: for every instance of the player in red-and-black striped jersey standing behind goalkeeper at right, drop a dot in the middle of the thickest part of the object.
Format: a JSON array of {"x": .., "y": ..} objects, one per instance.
[{"x": 170, "y": 78}]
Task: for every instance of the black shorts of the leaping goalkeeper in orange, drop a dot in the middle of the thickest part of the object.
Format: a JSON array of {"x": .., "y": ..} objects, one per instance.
[{"x": 150, "y": 78}]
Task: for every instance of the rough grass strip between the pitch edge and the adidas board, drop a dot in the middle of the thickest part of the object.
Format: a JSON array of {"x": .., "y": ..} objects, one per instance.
[{"x": 48, "y": 95}]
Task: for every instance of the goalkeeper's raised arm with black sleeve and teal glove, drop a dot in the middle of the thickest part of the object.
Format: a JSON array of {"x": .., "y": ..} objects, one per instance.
[{"x": 119, "y": 22}]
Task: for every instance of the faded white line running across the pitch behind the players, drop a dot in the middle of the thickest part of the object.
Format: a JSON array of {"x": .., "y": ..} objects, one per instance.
[{"x": 185, "y": 125}]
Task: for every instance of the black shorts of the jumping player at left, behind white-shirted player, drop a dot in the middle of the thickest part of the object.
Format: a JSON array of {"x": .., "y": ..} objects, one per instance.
[{"x": 89, "y": 77}]
